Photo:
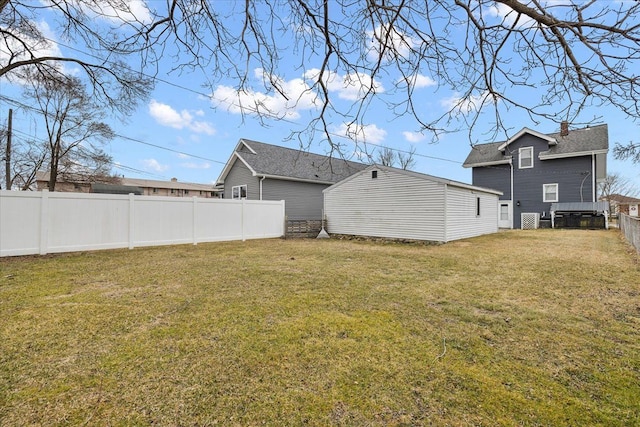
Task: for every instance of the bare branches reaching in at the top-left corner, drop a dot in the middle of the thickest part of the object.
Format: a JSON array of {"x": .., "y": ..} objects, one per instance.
[{"x": 26, "y": 50}]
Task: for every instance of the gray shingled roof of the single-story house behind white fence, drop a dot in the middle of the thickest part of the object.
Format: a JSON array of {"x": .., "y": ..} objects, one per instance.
[{"x": 273, "y": 161}]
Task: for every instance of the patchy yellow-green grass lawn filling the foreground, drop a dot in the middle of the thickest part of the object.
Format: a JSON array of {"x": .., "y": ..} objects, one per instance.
[{"x": 518, "y": 328}]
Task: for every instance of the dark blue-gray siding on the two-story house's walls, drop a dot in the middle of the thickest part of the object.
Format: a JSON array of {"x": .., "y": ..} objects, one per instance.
[{"x": 572, "y": 174}]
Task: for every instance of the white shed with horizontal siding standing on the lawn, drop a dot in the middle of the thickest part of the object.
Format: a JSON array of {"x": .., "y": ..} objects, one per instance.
[{"x": 387, "y": 202}]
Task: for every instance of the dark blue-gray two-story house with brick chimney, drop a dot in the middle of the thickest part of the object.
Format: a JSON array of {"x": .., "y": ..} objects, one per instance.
[{"x": 534, "y": 170}]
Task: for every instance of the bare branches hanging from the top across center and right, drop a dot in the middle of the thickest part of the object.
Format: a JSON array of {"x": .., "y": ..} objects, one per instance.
[{"x": 562, "y": 56}]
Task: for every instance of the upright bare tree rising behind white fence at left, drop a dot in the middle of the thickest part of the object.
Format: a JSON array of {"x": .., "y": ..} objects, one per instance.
[{"x": 75, "y": 133}]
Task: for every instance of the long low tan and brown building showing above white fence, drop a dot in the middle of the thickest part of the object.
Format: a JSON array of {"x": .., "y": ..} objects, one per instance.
[{"x": 122, "y": 185}]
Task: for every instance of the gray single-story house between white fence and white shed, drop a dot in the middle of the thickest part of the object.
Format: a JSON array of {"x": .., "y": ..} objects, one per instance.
[{"x": 259, "y": 171}]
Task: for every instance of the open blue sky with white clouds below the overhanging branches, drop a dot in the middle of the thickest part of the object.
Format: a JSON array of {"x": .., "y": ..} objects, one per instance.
[{"x": 199, "y": 128}]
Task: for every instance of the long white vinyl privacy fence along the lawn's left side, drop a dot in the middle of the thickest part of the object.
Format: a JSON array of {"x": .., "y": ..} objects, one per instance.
[{"x": 44, "y": 222}]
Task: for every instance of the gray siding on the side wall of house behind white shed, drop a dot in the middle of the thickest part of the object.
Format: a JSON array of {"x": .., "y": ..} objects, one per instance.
[{"x": 303, "y": 200}]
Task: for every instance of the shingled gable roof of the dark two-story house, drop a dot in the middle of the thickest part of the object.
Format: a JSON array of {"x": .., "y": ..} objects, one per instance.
[{"x": 579, "y": 142}]
